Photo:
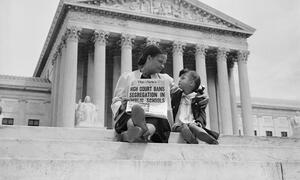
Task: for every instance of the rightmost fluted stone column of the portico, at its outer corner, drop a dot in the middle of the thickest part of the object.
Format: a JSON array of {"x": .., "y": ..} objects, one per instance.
[{"x": 245, "y": 93}]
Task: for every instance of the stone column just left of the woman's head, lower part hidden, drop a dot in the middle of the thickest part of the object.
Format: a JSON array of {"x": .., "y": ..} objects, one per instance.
[{"x": 126, "y": 52}]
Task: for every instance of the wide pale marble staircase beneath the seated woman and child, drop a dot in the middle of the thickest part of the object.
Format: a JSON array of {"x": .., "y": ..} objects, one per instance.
[{"x": 87, "y": 154}]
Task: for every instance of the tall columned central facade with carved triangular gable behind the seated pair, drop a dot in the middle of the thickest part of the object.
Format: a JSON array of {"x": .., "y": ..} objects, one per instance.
[{"x": 91, "y": 43}]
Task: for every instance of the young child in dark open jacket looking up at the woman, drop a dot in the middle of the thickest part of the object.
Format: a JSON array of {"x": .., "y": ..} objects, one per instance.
[{"x": 188, "y": 105}]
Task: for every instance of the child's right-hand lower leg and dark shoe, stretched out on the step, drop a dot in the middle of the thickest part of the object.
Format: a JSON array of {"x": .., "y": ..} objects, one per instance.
[{"x": 201, "y": 134}]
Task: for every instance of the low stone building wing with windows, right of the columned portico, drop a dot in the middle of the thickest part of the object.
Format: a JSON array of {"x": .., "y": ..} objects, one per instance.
[{"x": 273, "y": 117}]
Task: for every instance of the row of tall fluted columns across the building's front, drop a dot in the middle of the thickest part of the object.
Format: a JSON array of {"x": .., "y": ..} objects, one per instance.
[{"x": 67, "y": 69}]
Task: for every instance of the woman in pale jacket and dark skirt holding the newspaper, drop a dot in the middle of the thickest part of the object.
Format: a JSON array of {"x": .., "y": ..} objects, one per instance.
[{"x": 136, "y": 127}]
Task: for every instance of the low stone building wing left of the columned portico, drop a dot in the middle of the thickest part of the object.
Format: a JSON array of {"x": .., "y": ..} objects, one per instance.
[{"x": 25, "y": 101}]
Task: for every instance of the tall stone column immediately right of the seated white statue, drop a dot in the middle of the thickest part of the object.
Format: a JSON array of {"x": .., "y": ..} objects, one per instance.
[{"x": 99, "y": 75}]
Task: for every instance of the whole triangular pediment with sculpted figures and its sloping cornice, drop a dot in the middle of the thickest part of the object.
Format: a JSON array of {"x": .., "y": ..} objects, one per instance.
[{"x": 191, "y": 11}]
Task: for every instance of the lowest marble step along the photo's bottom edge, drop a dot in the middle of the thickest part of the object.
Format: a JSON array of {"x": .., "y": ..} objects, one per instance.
[{"x": 27, "y": 169}]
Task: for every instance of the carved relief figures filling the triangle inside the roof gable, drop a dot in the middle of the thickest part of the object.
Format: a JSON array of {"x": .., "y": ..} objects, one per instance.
[{"x": 178, "y": 9}]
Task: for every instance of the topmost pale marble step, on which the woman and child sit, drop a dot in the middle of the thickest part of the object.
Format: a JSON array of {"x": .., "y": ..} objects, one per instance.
[{"x": 102, "y": 134}]
